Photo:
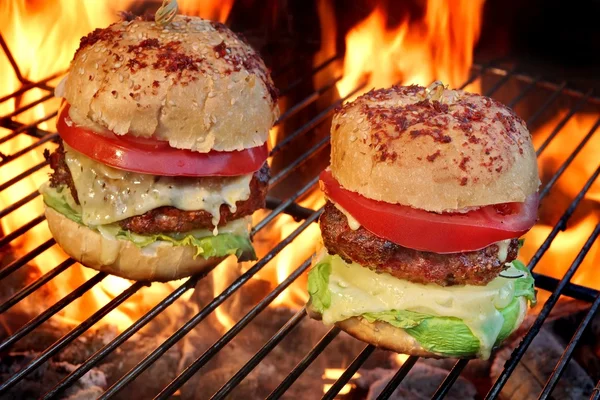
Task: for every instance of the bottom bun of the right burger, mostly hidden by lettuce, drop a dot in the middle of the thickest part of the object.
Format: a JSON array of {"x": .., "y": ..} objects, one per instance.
[{"x": 386, "y": 336}]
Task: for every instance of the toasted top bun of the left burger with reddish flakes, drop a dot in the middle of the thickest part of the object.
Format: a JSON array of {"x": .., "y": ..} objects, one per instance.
[{"x": 193, "y": 83}]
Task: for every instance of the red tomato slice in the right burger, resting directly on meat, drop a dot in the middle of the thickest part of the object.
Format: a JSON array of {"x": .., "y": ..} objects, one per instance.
[{"x": 438, "y": 233}]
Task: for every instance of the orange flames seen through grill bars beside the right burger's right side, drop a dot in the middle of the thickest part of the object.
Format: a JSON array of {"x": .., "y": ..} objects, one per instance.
[{"x": 568, "y": 243}]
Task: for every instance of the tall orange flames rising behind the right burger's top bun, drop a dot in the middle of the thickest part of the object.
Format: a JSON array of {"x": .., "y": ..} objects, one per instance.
[{"x": 438, "y": 46}]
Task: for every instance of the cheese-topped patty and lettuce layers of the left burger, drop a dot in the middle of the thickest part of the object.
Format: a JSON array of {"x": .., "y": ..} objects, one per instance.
[{"x": 209, "y": 213}]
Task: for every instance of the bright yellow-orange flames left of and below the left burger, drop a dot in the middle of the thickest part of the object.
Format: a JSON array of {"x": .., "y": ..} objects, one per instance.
[{"x": 41, "y": 45}]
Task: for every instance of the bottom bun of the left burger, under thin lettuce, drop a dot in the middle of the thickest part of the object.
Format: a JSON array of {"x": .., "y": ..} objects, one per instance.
[{"x": 159, "y": 262}]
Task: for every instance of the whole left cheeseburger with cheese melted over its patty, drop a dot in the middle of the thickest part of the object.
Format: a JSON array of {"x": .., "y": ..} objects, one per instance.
[{"x": 163, "y": 148}]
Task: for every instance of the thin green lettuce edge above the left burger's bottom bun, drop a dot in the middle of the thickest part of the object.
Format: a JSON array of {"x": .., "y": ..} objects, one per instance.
[{"x": 220, "y": 245}]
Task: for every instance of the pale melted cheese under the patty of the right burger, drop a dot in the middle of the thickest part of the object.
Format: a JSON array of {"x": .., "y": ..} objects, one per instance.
[{"x": 356, "y": 290}]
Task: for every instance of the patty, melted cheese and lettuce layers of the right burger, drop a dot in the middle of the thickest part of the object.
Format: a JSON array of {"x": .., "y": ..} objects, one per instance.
[{"x": 454, "y": 305}]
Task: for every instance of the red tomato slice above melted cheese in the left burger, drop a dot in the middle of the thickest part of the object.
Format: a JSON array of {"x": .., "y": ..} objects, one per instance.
[{"x": 151, "y": 156}]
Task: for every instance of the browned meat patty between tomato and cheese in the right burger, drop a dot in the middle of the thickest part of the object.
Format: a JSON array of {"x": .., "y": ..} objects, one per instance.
[{"x": 363, "y": 247}]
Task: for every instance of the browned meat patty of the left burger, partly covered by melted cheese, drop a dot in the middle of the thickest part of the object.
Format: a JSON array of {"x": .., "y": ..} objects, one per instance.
[{"x": 170, "y": 219}]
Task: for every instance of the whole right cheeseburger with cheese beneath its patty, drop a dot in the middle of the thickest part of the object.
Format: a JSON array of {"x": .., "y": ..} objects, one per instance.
[{"x": 428, "y": 192}]
